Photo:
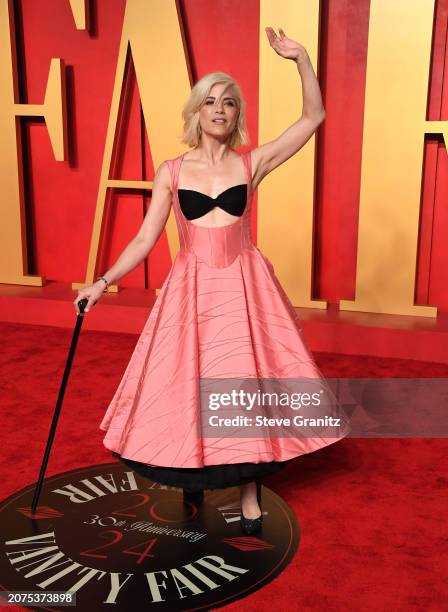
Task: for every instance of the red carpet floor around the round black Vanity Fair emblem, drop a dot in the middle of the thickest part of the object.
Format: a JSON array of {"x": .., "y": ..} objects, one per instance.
[{"x": 372, "y": 512}]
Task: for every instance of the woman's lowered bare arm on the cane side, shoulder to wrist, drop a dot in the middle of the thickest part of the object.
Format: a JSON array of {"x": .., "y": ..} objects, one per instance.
[{"x": 152, "y": 226}]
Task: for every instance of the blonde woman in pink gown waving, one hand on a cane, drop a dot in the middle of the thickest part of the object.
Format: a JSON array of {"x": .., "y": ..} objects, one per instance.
[{"x": 221, "y": 312}]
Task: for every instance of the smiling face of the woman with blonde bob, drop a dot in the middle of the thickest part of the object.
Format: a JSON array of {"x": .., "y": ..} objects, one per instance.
[{"x": 219, "y": 113}]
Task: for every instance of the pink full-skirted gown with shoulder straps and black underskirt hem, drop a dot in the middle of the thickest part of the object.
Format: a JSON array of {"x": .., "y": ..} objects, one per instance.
[{"x": 221, "y": 313}]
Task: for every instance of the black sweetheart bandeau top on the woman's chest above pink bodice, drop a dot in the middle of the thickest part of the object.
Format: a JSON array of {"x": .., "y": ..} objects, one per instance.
[{"x": 195, "y": 204}]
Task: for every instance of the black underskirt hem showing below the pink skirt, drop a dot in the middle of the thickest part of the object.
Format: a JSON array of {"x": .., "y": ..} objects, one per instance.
[{"x": 208, "y": 477}]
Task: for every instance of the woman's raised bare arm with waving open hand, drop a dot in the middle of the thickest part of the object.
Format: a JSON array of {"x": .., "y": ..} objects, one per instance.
[{"x": 268, "y": 156}]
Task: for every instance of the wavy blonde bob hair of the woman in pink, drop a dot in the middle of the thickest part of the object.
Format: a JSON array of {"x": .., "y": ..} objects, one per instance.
[{"x": 190, "y": 112}]
